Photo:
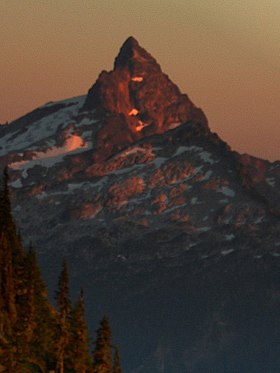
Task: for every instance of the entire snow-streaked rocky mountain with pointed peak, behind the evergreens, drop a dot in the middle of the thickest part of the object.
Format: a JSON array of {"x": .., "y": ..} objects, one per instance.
[{"x": 171, "y": 233}]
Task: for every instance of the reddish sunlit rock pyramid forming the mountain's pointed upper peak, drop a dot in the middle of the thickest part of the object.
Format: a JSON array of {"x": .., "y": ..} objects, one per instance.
[{"x": 140, "y": 96}]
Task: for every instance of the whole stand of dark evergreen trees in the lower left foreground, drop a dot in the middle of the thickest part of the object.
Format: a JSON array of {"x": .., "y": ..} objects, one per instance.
[{"x": 34, "y": 336}]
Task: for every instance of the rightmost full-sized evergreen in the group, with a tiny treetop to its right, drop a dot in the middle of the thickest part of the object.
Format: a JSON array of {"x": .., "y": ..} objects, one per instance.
[{"x": 102, "y": 355}]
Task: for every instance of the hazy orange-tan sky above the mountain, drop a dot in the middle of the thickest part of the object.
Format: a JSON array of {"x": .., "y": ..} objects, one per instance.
[{"x": 225, "y": 54}]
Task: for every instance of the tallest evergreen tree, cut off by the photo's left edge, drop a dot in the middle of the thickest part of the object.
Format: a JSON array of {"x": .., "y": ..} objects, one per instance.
[{"x": 11, "y": 265}]
